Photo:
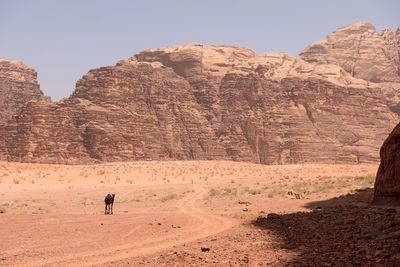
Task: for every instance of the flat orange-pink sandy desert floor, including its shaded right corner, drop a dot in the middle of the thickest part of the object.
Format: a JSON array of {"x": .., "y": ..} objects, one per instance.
[{"x": 194, "y": 213}]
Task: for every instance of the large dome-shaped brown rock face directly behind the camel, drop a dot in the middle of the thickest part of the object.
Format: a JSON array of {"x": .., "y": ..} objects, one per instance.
[{"x": 137, "y": 111}]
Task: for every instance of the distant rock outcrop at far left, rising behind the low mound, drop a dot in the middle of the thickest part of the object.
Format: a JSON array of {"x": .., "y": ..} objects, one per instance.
[{"x": 18, "y": 85}]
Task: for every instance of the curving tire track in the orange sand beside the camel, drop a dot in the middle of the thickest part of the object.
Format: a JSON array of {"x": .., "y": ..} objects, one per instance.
[{"x": 200, "y": 225}]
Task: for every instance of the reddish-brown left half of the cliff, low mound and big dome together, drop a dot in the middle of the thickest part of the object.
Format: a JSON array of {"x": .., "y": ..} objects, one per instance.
[{"x": 130, "y": 111}]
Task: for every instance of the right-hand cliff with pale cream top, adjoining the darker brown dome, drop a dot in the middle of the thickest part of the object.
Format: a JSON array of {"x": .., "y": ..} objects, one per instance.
[{"x": 275, "y": 108}]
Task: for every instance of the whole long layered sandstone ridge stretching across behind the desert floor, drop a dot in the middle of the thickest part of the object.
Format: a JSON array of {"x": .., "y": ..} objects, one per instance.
[{"x": 212, "y": 102}]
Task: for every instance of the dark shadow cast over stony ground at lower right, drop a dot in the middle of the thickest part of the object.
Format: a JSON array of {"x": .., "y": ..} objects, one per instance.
[{"x": 343, "y": 231}]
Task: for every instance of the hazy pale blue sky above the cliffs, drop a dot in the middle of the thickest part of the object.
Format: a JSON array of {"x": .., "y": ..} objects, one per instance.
[{"x": 62, "y": 40}]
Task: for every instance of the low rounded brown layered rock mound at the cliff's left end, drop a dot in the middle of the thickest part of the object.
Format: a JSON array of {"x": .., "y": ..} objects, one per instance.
[{"x": 42, "y": 133}]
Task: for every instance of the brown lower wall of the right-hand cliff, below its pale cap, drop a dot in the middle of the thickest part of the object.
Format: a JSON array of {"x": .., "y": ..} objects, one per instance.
[{"x": 299, "y": 120}]
